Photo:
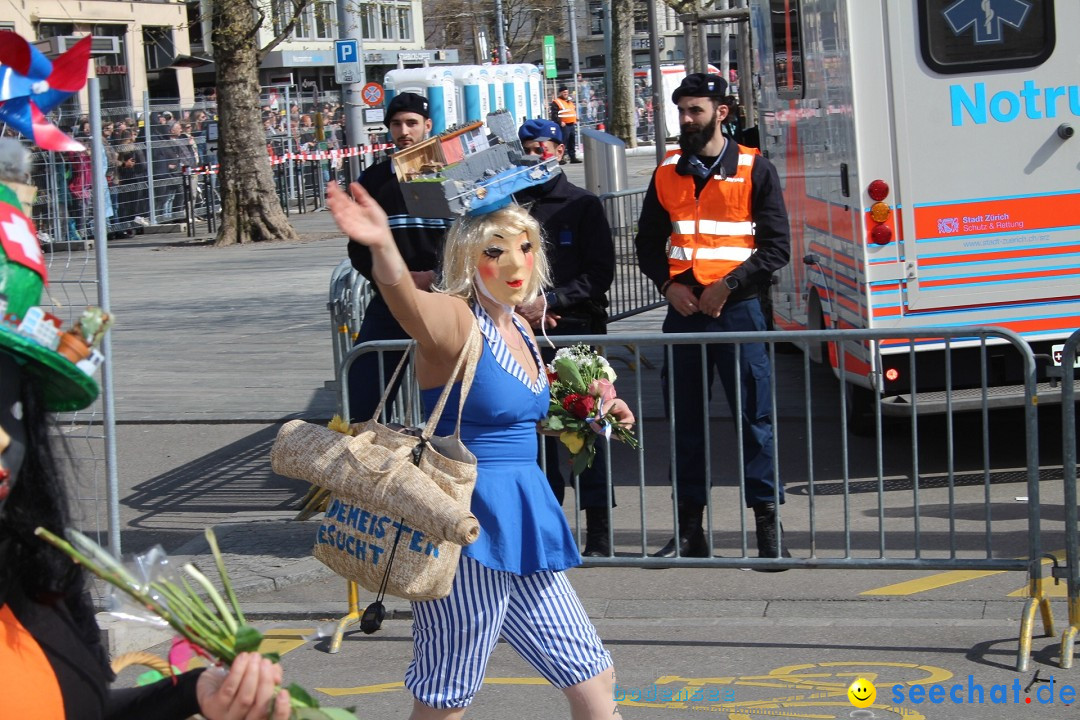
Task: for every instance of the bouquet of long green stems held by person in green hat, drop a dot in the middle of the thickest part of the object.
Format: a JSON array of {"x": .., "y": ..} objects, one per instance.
[{"x": 215, "y": 629}]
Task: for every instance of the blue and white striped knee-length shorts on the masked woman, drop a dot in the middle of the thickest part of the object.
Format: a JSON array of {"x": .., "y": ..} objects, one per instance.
[{"x": 539, "y": 616}]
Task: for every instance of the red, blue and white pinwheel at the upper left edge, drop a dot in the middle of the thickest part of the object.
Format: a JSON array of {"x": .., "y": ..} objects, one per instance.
[{"x": 32, "y": 86}]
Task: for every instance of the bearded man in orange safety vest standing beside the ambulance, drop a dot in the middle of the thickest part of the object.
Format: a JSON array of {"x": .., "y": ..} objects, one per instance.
[{"x": 722, "y": 208}]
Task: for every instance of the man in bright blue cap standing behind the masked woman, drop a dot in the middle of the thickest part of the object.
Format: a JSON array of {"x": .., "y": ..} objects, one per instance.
[{"x": 582, "y": 256}]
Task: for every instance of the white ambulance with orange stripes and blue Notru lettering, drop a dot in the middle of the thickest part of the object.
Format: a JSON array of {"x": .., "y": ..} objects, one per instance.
[{"x": 930, "y": 157}]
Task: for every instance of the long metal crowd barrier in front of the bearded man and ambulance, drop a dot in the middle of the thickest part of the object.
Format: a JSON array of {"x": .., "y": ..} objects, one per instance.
[{"x": 852, "y": 504}]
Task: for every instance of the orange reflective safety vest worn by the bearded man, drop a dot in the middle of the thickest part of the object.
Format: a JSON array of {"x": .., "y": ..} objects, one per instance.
[{"x": 712, "y": 234}]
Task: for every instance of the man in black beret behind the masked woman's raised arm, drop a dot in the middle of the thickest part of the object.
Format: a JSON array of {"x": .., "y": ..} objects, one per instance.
[{"x": 420, "y": 240}]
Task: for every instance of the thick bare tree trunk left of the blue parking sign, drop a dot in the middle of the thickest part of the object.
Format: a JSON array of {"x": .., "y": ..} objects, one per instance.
[{"x": 250, "y": 208}]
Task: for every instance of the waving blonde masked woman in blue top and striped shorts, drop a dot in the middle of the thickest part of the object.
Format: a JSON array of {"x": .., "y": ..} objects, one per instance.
[{"x": 510, "y": 583}]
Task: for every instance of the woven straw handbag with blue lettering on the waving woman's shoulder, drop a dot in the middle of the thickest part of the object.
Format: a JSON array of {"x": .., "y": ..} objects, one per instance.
[{"x": 400, "y": 498}]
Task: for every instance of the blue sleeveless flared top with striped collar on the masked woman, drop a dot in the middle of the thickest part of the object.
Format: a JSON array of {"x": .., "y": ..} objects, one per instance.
[{"x": 523, "y": 529}]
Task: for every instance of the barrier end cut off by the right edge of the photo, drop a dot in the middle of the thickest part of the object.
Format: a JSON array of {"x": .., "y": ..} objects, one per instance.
[{"x": 1070, "y": 472}]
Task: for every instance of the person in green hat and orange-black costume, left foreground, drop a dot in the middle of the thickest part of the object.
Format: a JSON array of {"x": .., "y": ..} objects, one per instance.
[{"x": 52, "y": 663}]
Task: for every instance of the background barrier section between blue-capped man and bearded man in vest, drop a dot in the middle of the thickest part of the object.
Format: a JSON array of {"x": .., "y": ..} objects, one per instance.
[{"x": 631, "y": 293}]
